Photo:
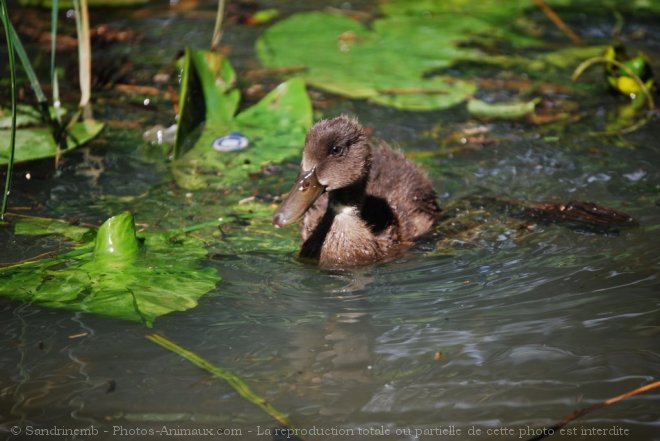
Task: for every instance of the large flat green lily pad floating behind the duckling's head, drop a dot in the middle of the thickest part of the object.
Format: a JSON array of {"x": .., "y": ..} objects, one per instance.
[{"x": 388, "y": 65}]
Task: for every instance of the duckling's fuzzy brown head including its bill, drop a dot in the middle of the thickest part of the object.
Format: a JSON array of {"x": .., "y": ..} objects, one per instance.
[{"x": 337, "y": 155}]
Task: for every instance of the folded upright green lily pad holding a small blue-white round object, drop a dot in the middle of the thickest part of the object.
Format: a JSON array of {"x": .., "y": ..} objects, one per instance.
[{"x": 275, "y": 127}]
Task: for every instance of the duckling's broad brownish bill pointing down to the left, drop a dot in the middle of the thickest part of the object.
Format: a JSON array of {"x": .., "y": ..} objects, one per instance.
[{"x": 303, "y": 194}]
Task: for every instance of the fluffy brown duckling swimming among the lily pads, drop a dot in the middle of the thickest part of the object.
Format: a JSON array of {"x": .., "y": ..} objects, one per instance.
[{"x": 357, "y": 205}]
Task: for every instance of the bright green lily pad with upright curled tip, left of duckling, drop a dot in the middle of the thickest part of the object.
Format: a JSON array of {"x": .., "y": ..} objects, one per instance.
[{"x": 120, "y": 276}]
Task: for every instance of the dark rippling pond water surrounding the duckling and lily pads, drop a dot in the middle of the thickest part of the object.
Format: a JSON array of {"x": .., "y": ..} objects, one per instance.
[{"x": 510, "y": 333}]
